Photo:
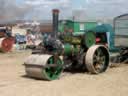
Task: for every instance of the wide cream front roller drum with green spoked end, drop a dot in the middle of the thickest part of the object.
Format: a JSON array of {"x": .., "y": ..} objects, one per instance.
[{"x": 38, "y": 66}]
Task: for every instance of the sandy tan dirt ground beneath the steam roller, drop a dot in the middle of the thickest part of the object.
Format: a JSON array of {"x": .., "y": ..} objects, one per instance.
[{"x": 114, "y": 82}]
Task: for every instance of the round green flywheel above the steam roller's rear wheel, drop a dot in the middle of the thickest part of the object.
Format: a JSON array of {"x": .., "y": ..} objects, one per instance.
[{"x": 90, "y": 39}]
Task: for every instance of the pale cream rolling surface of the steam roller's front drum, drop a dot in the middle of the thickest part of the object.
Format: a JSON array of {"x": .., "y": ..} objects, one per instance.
[{"x": 37, "y": 68}]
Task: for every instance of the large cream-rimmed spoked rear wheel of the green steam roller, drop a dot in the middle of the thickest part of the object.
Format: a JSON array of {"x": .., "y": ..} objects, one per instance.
[{"x": 97, "y": 59}]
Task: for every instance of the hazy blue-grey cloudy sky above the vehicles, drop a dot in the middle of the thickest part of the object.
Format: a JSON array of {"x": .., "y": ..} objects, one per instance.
[{"x": 41, "y": 9}]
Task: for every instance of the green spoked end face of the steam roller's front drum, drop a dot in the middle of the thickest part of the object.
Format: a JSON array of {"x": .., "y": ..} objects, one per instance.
[{"x": 53, "y": 73}]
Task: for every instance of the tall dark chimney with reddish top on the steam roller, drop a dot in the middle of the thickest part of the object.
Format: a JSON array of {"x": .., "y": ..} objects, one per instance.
[{"x": 55, "y": 22}]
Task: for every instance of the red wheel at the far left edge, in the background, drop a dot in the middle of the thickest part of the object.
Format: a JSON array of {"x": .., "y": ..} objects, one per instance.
[{"x": 7, "y": 44}]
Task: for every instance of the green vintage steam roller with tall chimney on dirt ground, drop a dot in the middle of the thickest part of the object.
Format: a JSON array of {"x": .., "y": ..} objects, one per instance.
[{"x": 67, "y": 51}]
